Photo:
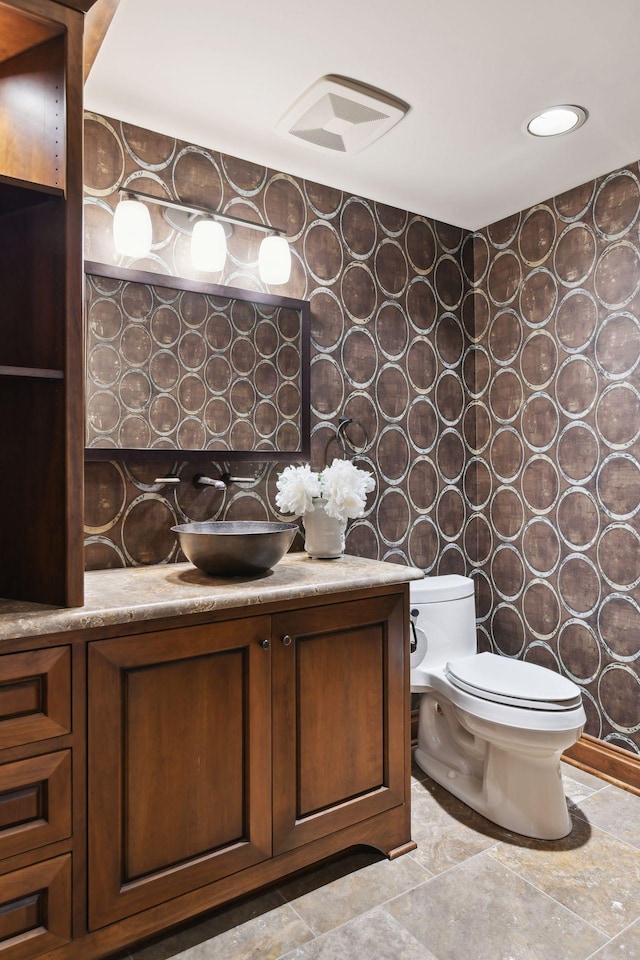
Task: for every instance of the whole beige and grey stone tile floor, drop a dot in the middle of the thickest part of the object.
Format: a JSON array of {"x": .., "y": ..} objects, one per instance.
[{"x": 471, "y": 891}]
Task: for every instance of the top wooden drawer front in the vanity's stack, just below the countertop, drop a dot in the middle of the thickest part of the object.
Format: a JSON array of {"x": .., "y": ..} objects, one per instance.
[{"x": 35, "y": 696}]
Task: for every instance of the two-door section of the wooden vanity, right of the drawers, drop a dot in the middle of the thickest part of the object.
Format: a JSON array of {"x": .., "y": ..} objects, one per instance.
[{"x": 226, "y": 755}]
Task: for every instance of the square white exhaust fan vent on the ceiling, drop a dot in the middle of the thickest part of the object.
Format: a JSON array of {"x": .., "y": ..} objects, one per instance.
[{"x": 340, "y": 114}]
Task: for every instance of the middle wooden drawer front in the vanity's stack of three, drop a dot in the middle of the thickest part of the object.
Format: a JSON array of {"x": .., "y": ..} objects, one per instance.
[{"x": 35, "y": 802}]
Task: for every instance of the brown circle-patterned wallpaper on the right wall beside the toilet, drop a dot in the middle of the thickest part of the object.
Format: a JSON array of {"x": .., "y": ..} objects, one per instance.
[{"x": 555, "y": 537}]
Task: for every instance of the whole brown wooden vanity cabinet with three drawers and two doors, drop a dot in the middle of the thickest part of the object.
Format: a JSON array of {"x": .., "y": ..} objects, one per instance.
[{"x": 151, "y": 770}]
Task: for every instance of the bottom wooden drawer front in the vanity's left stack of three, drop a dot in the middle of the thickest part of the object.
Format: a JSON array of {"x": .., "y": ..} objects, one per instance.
[{"x": 35, "y": 909}]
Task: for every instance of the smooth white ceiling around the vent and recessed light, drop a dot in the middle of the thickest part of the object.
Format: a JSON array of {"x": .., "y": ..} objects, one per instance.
[{"x": 221, "y": 74}]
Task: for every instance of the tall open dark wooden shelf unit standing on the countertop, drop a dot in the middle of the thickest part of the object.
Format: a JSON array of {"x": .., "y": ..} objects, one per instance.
[{"x": 41, "y": 373}]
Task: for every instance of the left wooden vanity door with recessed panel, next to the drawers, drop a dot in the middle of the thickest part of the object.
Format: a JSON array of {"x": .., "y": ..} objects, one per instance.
[{"x": 179, "y": 762}]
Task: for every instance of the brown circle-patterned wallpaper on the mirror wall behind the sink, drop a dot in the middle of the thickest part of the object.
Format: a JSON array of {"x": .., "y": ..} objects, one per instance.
[{"x": 388, "y": 308}]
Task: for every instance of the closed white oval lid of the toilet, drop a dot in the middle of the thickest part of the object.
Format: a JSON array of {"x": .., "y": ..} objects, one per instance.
[{"x": 513, "y": 682}]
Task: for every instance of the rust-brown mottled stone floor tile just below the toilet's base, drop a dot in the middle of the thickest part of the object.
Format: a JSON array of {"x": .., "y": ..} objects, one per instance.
[{"x": 590, "y": 872}]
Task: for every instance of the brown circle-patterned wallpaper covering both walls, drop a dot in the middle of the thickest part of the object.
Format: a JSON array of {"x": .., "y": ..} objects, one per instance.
[{"x": 494, "y": 376}]
